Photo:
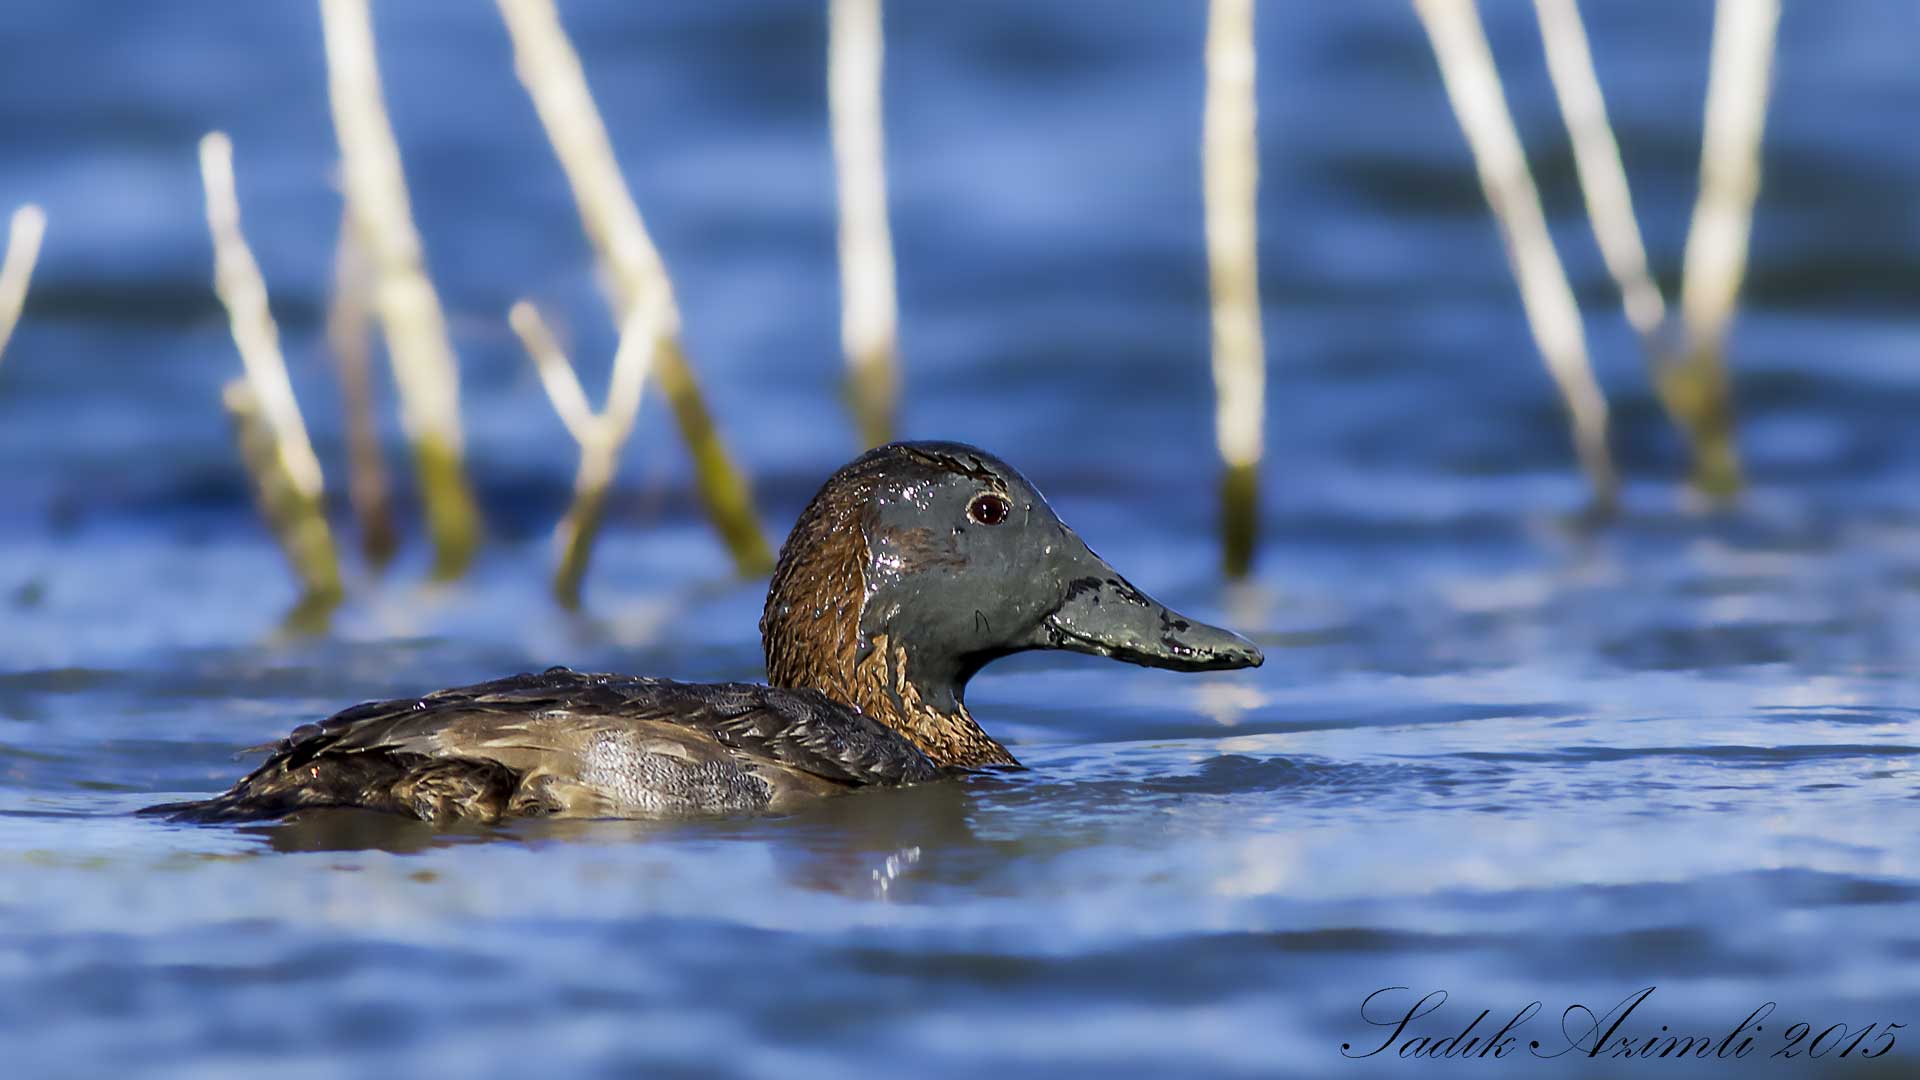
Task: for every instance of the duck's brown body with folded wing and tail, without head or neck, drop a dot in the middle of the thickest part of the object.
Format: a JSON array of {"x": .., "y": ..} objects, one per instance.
[{"x": 575, "y": 745}]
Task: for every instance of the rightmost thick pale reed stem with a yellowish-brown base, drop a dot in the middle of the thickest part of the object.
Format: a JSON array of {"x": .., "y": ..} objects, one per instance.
[{"x": 1694, "y": 385}]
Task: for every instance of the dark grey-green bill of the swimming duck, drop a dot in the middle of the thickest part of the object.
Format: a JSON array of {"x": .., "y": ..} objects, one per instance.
[{"x": 1105, "y": 616}]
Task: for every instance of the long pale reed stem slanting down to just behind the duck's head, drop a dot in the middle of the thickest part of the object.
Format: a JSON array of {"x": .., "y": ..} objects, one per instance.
[{"x": 554, "y": 80}]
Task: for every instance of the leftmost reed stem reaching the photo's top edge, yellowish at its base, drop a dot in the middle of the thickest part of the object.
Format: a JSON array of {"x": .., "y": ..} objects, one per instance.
[{"x": 416, "y": 328}]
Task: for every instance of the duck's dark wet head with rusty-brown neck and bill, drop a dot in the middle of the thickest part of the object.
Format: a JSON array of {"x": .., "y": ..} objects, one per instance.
[{"x": 923, "y": 562}]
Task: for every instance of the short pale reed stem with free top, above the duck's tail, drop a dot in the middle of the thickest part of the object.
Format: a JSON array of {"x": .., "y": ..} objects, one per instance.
[{"x": 270, "y": 430}]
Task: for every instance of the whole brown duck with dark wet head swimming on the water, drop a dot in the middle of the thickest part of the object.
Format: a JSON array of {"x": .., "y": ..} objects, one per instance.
[{"x": 909, "y": 572}]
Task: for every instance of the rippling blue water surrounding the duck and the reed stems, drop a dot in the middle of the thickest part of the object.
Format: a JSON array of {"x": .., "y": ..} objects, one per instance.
[{"x": 1489, "y": 754}]
